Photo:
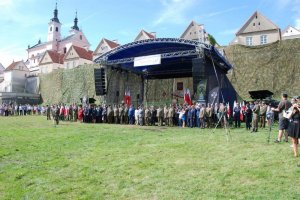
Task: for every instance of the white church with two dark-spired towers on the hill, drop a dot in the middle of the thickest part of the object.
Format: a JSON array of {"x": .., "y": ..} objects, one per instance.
[{"x": 55, "y": 44}]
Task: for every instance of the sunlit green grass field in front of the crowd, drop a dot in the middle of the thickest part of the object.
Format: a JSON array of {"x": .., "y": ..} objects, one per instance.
[{"x": 88, "y": 161}]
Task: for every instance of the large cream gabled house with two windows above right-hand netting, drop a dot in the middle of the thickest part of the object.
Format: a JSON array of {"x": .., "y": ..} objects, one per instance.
[{"x": 258, "y": 30}]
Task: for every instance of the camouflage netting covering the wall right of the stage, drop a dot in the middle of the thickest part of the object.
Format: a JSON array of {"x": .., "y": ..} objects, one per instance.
[{"x": 274, "y": 67}]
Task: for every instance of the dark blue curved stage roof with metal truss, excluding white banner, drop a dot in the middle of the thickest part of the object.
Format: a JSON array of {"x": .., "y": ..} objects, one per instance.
[{"x": 176, "y": 57}]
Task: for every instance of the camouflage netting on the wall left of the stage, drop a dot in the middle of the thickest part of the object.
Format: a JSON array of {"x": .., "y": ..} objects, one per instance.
[{"x": 68, "y": 86}]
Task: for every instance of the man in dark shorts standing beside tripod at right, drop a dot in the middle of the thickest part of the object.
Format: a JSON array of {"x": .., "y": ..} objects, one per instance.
[{"x": 284, "y": 105}]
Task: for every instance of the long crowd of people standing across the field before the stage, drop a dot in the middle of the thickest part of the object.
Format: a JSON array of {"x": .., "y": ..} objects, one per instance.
[{"x": 255, "y": 114}]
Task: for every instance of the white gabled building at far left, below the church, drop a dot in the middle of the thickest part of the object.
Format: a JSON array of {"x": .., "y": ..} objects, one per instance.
[{"x": 15, "y": 77}]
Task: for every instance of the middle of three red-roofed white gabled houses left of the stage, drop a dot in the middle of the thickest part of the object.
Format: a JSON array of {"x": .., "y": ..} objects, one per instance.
[{"x": 77, "y": 56}]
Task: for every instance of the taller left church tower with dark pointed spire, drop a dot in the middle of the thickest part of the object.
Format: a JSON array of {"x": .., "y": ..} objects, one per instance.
[{"x": 54, "y": 27}]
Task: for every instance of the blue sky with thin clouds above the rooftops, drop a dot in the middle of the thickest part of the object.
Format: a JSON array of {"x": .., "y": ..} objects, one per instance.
[{"x": 24, "y": 22}]
